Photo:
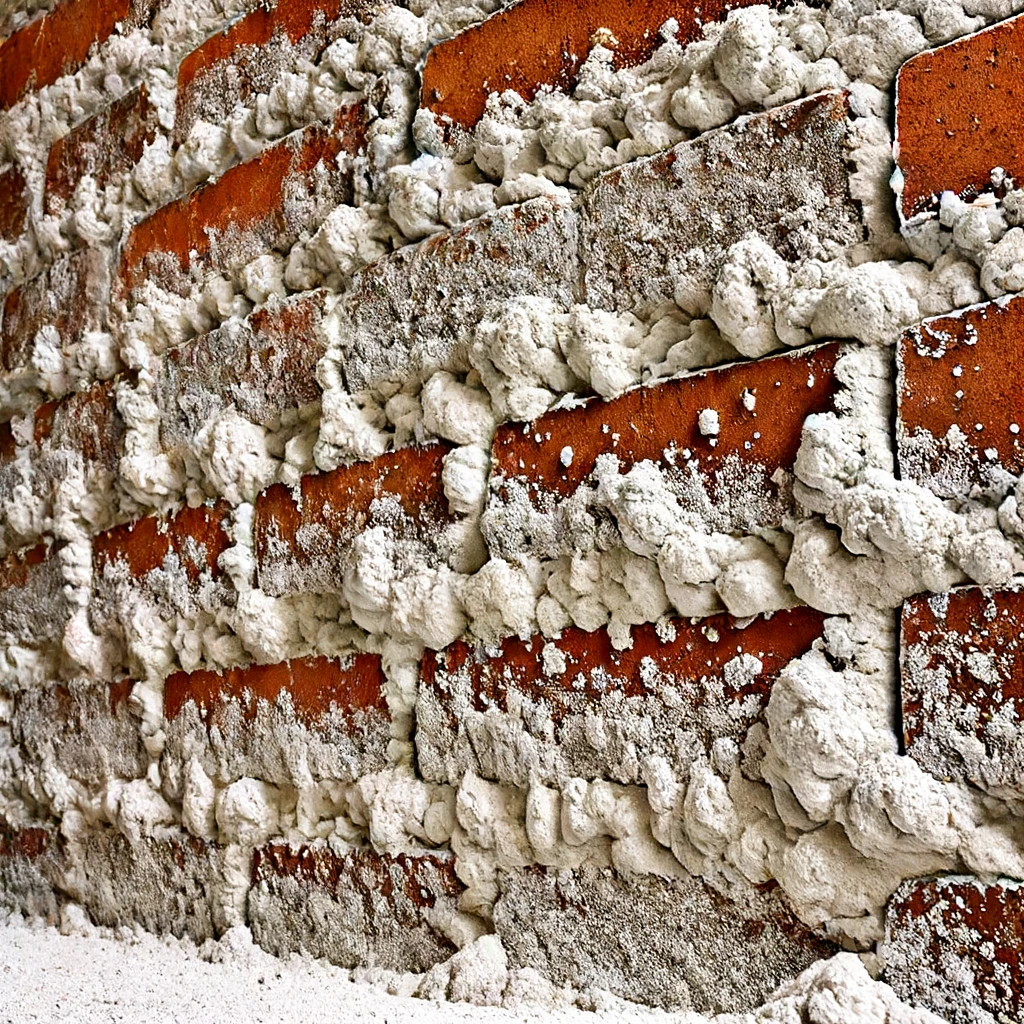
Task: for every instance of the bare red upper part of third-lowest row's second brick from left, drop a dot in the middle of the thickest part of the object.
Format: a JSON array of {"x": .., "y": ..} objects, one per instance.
[{"x": 195, "y": 536}]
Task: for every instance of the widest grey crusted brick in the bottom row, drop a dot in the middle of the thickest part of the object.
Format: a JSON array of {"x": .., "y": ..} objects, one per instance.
[{"x": 676, "y": 944}]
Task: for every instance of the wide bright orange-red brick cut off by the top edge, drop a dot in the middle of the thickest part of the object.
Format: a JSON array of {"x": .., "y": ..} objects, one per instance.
[{"x": 552, "y": 40}]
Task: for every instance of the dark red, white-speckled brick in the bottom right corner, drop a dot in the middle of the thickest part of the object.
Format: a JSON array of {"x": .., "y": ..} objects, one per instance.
[{"x": 956, "y": 946}]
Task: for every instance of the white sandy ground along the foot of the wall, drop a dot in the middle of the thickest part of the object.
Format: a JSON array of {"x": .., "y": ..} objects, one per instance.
[{"x": 89, "y": 979}]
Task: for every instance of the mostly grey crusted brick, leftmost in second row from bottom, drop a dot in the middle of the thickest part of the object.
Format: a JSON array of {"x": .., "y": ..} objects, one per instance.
[{"x": 83, "y": 729}]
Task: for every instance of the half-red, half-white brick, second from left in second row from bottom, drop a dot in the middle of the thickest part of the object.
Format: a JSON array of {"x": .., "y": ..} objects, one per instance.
[{"x": 250, "y": 721}]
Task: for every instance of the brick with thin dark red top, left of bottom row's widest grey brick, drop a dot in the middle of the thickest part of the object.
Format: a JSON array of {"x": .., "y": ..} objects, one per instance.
[{"x": 357, "y": 910}]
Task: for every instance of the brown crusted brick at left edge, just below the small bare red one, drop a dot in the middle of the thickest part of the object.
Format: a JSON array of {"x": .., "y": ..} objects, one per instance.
[{"x": 70, "y": 296}]
